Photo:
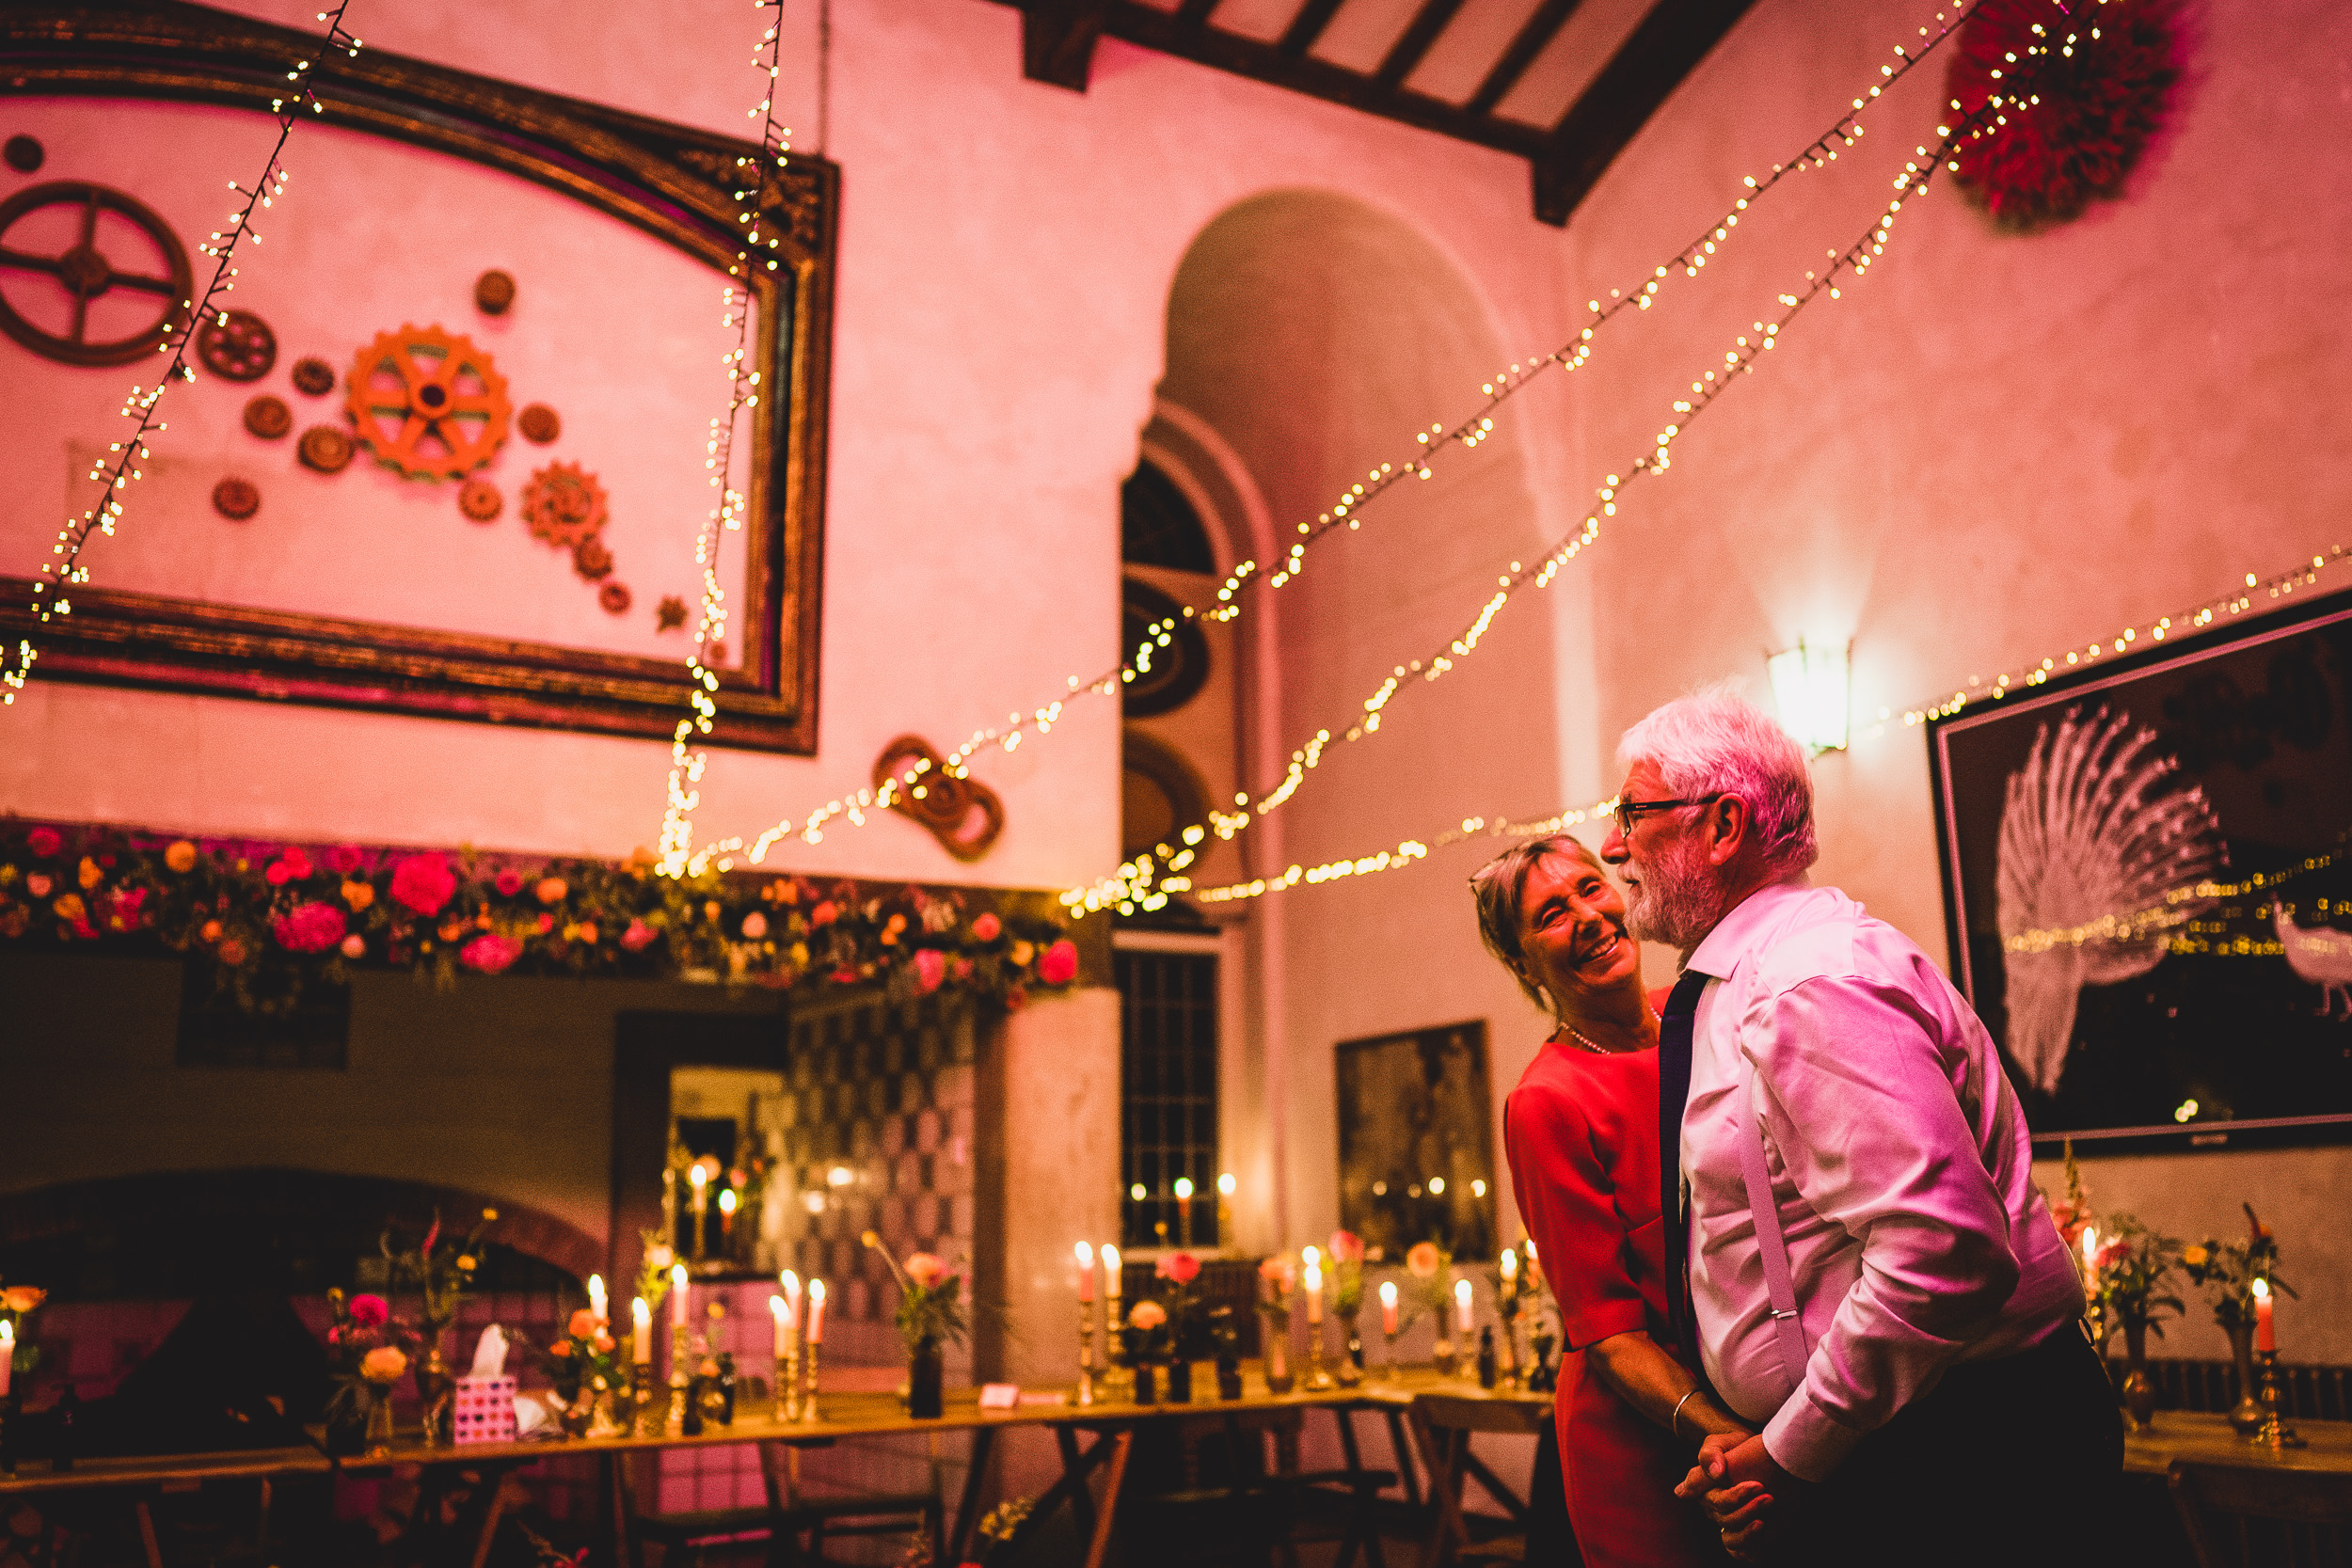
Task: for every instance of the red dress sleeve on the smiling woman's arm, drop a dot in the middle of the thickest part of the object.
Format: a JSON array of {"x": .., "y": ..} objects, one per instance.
[{"x": 1570, "y": 1209}]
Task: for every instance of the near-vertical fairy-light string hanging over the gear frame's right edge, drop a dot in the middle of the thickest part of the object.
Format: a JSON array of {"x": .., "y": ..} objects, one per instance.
[{"x": 754, "y": 177}]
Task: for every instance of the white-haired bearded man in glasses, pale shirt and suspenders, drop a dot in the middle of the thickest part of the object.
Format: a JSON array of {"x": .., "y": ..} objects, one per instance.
[{"x": 1873, "y": 1278}]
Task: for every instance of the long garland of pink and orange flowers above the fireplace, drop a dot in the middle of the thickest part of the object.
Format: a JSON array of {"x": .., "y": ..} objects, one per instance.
[{"x": 279, "y": 918}]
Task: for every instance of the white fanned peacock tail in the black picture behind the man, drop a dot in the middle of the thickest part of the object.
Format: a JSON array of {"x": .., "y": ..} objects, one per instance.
[{"x": 2099, "y": 862}]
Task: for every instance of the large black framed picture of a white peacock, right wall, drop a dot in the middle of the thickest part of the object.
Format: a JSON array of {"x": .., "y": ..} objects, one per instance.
[{"x": 2149, "y": 885}]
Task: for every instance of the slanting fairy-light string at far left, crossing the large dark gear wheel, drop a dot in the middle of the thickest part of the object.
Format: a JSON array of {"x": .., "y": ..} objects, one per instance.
[{"x": 65, "y": 565}]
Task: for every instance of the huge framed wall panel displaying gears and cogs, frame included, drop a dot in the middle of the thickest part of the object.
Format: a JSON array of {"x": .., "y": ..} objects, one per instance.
[{"x": 465, "y": 467}]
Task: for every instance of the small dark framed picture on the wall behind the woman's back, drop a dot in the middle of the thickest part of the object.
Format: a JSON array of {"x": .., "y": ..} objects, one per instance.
[{"x": 1417, "y": 1141}]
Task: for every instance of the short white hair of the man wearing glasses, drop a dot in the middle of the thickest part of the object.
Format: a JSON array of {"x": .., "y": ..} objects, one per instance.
[{"x": 1720, "y": 744}]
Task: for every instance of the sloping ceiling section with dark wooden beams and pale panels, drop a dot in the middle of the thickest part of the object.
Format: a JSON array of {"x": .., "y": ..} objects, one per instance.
[{"x": 1561, "y": 83}]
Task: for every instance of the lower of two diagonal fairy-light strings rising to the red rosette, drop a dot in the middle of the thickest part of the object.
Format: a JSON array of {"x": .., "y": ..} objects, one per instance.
[{"x": 1140, "y": 883}]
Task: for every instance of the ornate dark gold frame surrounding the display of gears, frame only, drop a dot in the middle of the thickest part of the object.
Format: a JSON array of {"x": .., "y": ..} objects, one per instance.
[{"x": 664, "y": 180}]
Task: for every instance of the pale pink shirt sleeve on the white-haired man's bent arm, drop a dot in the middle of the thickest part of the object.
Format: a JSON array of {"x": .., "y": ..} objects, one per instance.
[{"x": 1864, "y": 1113}]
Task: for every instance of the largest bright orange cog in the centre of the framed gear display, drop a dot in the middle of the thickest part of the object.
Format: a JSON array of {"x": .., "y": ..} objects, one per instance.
[{"x": 429, "y": 403}]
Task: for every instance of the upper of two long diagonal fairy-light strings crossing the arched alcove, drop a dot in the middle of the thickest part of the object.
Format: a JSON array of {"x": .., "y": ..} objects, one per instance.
[{"x": 1347, "y": 509}]
